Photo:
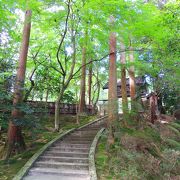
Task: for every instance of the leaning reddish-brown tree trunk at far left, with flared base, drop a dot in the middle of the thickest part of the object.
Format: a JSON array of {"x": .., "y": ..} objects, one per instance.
[{"x": 15, "y": 138}]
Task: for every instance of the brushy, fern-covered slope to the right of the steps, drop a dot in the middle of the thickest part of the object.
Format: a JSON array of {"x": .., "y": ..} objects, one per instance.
[{"x": 141, "y": 151}]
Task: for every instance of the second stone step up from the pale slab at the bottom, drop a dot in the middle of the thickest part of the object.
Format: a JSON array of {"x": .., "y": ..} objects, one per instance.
[{"x": 64, "y": 159}]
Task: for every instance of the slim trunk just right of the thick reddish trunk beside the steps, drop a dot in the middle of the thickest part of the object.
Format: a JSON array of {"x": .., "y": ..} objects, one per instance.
[{"x": 123, "y": 81}]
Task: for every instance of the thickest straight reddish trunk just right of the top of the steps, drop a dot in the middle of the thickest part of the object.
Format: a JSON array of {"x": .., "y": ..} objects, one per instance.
[{"x": 112, "y": 93}]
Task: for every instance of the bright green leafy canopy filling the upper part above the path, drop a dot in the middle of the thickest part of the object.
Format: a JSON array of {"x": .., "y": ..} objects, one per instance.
[{"x": 153, "y": 32}]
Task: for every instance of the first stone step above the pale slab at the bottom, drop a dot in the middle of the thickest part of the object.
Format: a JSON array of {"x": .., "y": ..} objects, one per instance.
[{"x": 58, "y": 165}]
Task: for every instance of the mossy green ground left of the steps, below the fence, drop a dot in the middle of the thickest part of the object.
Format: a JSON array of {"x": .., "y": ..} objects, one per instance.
[{"x": 35, "y": 139}]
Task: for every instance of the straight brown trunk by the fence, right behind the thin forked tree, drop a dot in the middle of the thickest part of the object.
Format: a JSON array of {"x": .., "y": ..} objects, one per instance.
[{"x": 82, "y": 102}]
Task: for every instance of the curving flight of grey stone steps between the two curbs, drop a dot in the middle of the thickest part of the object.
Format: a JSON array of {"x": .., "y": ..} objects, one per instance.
[{"x": 67, "y": 158}]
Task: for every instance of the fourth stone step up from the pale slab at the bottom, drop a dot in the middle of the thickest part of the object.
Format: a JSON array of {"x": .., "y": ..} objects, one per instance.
[{"x": 65, "y": 149}]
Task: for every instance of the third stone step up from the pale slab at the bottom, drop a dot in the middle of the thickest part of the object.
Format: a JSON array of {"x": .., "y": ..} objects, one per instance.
[{"x": 66, "y": 154}]
